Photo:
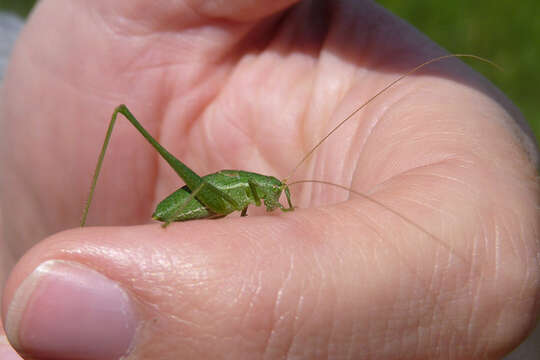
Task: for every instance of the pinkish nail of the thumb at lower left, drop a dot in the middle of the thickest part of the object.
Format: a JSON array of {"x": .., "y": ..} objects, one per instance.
[{"x": 65, "y": 310}]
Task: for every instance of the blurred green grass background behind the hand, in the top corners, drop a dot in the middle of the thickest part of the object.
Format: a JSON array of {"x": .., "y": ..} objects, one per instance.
[{"x": 503, "y": 31}]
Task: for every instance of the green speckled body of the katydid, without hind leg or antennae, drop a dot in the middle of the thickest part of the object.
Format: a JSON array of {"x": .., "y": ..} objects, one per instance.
[{"x": 181, "y": 205}]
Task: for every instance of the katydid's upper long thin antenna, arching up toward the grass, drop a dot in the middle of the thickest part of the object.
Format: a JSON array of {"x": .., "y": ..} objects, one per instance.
[{"x": 383, "y": 90}]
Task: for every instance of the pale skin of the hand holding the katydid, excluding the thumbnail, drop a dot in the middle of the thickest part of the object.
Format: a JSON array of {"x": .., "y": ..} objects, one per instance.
[{"x": 221, "y": 88}]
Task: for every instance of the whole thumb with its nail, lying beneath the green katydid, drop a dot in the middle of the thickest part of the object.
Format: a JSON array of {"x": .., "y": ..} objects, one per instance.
[{"x": 316, "y": 284}]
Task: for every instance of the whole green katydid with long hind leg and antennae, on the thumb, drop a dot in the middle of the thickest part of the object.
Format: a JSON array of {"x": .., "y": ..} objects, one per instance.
[{"x": 219, "y": 194}]
